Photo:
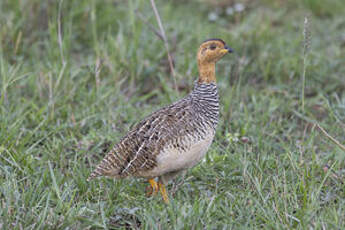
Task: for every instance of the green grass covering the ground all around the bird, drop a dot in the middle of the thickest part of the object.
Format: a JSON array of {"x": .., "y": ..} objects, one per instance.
[{"x": 76, "y": 75}]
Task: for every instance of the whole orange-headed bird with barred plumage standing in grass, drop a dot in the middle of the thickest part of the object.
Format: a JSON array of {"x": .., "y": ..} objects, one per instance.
[{"x": 176, "y": 137}]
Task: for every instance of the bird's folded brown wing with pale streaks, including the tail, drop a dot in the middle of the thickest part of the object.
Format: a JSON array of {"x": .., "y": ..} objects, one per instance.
[{"x": 137, "y": 150}]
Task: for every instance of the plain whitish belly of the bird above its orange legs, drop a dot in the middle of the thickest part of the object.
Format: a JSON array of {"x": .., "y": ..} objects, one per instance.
[{"x": 172, "y": 159}]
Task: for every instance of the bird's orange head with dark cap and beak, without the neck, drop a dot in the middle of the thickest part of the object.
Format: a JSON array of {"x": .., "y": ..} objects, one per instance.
[{"x": 211, "y": 50}]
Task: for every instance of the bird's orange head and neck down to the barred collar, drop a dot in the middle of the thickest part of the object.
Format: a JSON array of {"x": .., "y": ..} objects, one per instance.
[{"x": 210, "y": 51}]
